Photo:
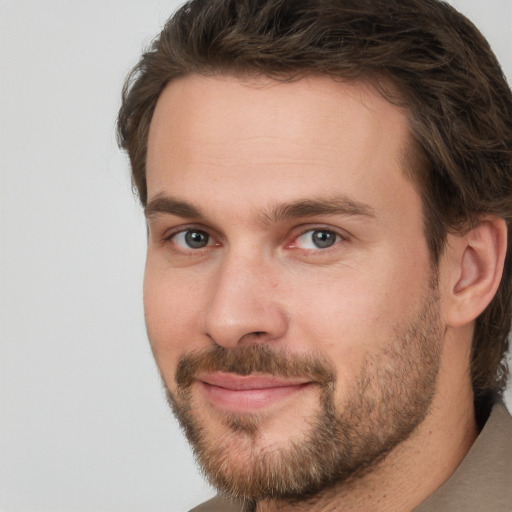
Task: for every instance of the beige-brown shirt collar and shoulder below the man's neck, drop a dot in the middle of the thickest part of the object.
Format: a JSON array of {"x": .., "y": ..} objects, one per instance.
[{"x": 482, "y": 482}]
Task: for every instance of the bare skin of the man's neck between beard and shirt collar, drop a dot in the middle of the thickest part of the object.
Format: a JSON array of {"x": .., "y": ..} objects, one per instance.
[{"x": 414, "y": 469}]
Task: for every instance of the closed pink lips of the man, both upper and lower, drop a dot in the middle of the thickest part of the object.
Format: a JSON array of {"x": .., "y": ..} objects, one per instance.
[{"x": 246, "y": 393}]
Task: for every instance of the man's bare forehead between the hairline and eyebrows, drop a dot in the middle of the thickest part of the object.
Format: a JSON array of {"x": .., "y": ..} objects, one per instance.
[{"x": 279, "y": 138}]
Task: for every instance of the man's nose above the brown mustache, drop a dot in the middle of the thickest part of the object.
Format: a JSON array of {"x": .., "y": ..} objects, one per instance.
[{"x": 244, "y": 307}]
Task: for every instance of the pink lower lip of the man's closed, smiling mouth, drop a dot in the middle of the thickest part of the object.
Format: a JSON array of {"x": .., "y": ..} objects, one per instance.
[{"x": 249, "y": 399}]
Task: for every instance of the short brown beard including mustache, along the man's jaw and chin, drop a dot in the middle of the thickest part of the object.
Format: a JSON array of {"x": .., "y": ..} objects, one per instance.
[{"x": 344, "y": 440}]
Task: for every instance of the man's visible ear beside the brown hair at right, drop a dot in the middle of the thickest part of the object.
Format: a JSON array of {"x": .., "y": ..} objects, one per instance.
[{"x": 474, "y": 270}]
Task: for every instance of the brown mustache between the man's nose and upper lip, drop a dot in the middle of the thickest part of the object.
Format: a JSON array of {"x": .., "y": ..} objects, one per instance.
[{"x": 258, "y": 358}]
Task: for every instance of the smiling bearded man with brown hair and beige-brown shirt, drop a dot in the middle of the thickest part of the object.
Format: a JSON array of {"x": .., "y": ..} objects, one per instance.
[{"x": 328, "y": 190}]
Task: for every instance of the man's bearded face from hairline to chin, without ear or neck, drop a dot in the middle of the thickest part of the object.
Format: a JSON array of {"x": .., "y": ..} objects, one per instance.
[{"x": 289, "y": 296}]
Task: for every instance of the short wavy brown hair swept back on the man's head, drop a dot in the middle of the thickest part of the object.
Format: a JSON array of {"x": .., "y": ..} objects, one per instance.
[{"x": 448, "y": 79}]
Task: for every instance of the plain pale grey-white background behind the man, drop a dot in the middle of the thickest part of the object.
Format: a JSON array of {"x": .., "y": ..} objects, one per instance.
[{"x": 84, "y": 426}]
